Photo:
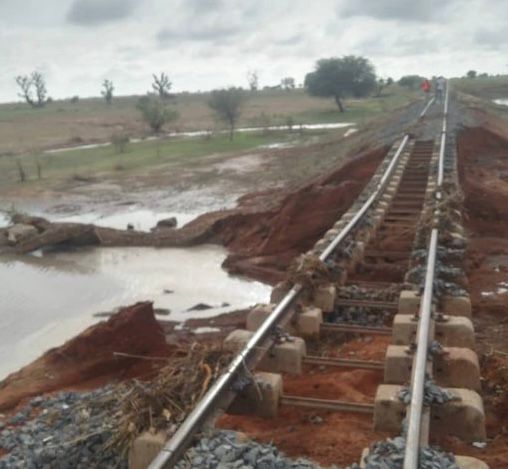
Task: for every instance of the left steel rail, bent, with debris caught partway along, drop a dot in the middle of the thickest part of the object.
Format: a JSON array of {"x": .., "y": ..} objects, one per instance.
[{"x": 177, "y": 444}]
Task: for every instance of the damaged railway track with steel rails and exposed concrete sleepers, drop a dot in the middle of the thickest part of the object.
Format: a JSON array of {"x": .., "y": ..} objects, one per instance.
[{"x": 390, "y": 267}]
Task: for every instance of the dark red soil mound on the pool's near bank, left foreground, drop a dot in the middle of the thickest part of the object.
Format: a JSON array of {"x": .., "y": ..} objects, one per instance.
[{"x": 89, "y": 360}]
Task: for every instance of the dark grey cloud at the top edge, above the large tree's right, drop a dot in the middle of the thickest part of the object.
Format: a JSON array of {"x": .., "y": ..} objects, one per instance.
[{"x": 417, "y": 10}]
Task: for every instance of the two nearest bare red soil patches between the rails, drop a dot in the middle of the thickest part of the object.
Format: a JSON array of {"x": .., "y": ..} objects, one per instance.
[{"x": 339, "y": 438}]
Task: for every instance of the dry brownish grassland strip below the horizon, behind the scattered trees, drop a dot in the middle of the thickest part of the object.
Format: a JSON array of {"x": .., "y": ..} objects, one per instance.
[{"x": 61, "y": 123}]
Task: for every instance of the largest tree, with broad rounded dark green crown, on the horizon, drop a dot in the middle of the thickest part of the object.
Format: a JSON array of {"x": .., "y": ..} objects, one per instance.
[{"x": 341, "y": 77}]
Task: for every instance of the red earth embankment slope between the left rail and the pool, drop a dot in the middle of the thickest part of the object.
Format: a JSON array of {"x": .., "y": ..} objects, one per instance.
[{"x": 269, "y": 230}]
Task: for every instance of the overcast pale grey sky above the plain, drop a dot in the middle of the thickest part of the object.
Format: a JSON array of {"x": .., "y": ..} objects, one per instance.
[{"x": 203, "y": 44}]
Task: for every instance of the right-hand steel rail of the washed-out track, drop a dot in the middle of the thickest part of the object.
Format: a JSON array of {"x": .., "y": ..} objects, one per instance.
[{"x": 425, "y": 332}]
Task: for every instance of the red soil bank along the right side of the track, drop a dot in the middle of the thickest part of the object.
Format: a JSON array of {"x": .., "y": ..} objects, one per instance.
[{"x": 483, "y": 169}]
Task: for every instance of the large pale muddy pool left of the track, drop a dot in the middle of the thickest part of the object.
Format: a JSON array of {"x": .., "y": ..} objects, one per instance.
[{"x": 47, "y": 299}]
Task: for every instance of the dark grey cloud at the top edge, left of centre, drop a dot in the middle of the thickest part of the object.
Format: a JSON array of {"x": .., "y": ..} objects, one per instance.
[{"x": 93, "y": 12}]
